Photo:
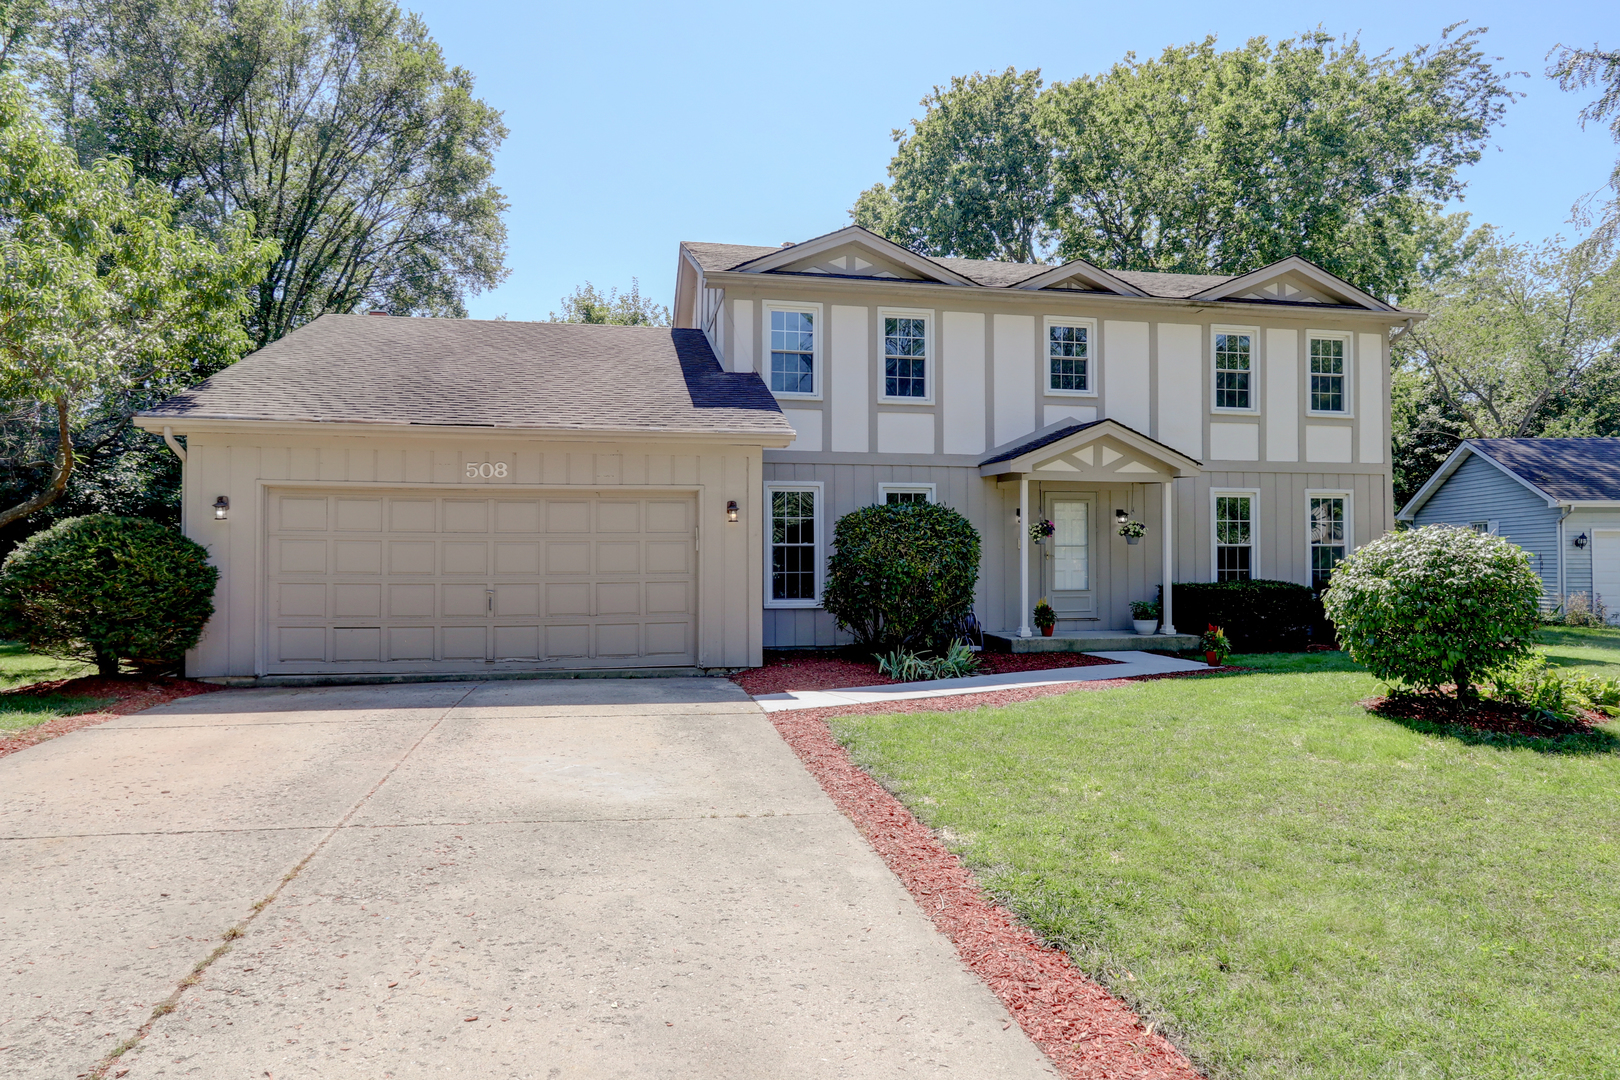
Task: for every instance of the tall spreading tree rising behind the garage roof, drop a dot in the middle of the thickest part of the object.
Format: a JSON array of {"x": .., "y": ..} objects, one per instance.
[{"x": 336, "y": 124}]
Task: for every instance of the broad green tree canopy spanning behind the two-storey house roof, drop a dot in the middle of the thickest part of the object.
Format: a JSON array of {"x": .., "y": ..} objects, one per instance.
[{"x": 1203, "y": 161}]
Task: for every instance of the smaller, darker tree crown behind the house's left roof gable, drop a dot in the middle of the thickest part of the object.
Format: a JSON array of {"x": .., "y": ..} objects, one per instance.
[{"x": 973, "y": 179}]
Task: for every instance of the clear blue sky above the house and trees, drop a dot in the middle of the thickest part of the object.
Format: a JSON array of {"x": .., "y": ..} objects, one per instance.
[{"x": 636, "y": 127}]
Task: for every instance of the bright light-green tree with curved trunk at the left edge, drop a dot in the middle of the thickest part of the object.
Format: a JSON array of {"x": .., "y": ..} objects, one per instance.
[{"x": 101, "y": 292}]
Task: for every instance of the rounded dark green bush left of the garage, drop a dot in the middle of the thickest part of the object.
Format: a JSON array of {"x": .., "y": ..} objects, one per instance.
[{"x": 104, "y": 589}]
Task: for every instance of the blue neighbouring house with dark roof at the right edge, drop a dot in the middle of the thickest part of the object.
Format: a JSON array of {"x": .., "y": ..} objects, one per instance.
[{"x": 1559, "y": 500}]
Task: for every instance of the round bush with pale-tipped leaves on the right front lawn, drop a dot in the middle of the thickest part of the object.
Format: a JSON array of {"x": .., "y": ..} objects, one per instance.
[{"x": 1433, "y": 606}]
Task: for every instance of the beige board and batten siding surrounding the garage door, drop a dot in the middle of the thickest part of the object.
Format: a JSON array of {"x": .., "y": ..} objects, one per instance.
[{"x": 245, "y": 466}]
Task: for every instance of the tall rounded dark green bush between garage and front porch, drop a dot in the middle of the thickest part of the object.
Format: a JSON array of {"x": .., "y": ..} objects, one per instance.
[{"x": 902, "y": 576}]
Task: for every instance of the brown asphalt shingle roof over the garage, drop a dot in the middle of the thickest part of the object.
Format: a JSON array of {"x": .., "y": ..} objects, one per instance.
[{"x": 563, "y": 376}]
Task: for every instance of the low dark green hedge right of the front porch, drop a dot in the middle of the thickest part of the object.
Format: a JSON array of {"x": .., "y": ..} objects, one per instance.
[{"x": 1258, "y": 616}]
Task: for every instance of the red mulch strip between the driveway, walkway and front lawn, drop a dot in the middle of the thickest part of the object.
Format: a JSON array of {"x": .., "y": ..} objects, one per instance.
[{"x": 1085, "y": 1031}]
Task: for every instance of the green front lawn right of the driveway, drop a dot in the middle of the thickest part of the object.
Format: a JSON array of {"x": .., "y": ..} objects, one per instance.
[{"x": 1294, "y": 887}]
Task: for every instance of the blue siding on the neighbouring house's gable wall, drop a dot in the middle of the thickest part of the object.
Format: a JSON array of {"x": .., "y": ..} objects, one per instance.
[{"x": 1480, "y": 491}]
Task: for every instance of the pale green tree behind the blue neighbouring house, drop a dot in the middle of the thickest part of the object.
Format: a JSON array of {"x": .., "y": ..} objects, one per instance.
[{"x": 1522, "y": 341}]
